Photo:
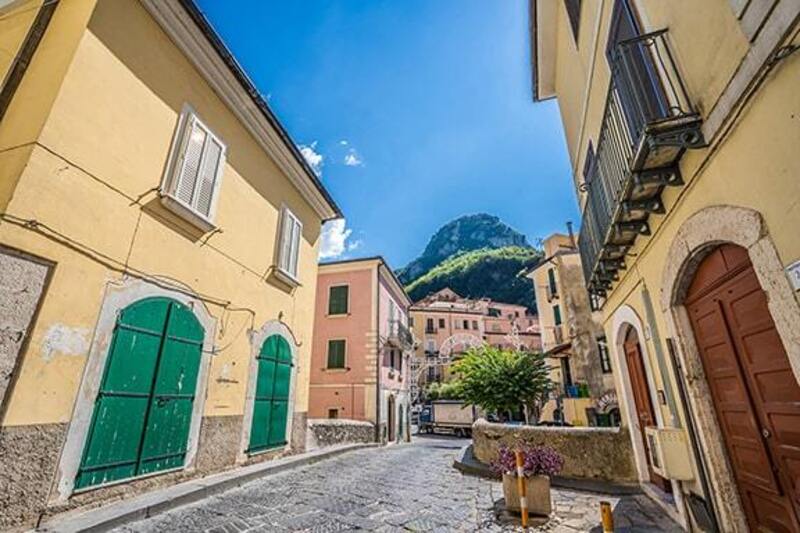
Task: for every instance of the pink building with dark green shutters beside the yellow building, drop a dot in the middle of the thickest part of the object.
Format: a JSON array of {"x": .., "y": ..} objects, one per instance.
[{"x": 361, "y": 346}]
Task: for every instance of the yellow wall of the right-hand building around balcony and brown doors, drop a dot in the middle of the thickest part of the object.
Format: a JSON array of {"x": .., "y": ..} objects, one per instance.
[{"x": 752, "y": 165}]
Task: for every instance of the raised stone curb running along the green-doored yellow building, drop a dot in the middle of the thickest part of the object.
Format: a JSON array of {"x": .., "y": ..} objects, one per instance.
[{"x": 158, "y": 501}]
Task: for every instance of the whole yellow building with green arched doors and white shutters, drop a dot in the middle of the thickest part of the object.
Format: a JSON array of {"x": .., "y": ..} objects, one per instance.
[{"x": 158, "y": 257}]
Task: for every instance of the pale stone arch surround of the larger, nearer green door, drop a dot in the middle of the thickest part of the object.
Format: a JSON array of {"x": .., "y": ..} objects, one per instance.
[{"x": 118, "y": 296}]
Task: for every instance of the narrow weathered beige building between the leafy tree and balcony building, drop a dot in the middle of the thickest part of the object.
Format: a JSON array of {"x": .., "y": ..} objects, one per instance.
[{"x": 573, "y": 339}]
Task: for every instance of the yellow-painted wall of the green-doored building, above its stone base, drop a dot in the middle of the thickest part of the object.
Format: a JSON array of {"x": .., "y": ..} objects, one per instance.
[{"x": 92, "y": 178}]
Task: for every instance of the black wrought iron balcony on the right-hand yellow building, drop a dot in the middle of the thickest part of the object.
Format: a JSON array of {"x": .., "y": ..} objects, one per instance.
[{"x": 647, "y": 125}]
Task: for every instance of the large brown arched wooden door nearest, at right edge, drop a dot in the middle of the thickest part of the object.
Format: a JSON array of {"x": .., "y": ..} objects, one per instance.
[{"x": 755, "y": 393}]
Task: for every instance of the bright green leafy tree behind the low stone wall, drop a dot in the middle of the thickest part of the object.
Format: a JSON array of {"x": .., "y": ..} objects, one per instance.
[{"x": 500, "y": 381}]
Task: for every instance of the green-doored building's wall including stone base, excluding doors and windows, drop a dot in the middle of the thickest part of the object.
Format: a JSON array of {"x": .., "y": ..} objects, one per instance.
[{"x": 96, "y": 115}]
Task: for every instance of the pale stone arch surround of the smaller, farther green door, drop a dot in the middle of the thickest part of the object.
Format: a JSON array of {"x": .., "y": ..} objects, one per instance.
[{"x": 257, "y": 338}]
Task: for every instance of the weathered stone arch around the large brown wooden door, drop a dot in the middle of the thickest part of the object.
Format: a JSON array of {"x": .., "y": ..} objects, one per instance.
[{"x": 697, "y": 237}]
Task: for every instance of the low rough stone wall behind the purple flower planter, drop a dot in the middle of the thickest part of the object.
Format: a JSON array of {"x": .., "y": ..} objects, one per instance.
[{"x": 589, "y": 453}]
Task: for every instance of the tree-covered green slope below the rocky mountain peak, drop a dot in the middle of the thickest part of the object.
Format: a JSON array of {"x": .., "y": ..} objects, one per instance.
[{"x": 493, "y": 273}]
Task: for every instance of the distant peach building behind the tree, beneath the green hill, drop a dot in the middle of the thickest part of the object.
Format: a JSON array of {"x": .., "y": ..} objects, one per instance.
[{"x": 446, "y": 322}]
